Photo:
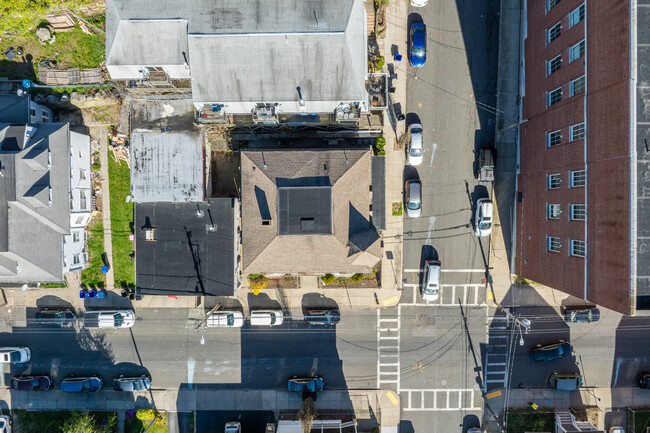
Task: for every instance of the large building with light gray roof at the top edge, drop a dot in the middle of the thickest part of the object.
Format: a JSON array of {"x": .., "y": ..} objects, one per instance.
[{"x": 287, "y": 56}]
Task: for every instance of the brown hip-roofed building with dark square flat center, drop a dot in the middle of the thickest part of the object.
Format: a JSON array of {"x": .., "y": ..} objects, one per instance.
[{"x": 307, "y": 212}]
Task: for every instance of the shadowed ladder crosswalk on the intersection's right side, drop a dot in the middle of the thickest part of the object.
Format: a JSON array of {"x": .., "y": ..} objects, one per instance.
[{"x": 496, "y": 354}]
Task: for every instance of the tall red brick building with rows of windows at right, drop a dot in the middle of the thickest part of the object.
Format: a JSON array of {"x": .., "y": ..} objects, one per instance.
[{"x": 583, "y": 226}]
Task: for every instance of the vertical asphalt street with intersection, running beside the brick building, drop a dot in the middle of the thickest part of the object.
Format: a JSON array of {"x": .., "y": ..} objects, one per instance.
[{"x": 453, "y": 96}]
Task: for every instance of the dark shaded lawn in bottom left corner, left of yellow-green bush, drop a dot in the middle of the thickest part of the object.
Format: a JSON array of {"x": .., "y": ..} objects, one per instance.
[{"x": 46, "y": 421}]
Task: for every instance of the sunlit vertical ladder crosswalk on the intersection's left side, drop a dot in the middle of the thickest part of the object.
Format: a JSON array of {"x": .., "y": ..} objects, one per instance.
[{"x": 388, "y": 355}]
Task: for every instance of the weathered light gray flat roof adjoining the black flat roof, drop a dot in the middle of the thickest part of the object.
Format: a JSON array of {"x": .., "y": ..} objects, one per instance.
[{"x": 166, "y": 167}]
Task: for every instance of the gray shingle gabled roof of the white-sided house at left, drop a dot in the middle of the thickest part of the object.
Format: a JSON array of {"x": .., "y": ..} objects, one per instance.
[{"x": 32, "y": 233}]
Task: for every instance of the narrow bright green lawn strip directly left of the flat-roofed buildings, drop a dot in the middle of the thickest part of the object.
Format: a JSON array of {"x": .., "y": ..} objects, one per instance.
[{"x": 119, "y": 176}]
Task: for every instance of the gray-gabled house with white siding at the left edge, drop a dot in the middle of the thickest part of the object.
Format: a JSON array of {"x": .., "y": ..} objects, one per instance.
[{"x": 39, "y": 199}]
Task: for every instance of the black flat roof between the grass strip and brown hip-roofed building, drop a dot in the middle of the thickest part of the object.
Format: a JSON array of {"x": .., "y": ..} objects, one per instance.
[{"x": 186, "y": 249}]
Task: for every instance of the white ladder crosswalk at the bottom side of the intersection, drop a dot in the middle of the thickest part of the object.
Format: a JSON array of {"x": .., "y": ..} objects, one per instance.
[{"x": 441, "y": 399}]
